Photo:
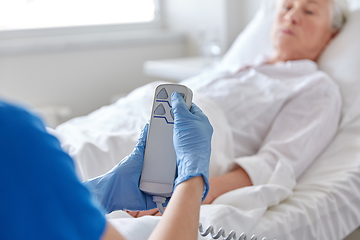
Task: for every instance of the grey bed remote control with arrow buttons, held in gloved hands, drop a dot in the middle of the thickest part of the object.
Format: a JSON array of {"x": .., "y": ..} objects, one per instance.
[{"x": 158, "y": 173}]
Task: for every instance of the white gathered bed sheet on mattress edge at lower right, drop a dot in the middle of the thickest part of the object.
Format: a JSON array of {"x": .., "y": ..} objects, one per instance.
[{"x": 326, "y": 201}]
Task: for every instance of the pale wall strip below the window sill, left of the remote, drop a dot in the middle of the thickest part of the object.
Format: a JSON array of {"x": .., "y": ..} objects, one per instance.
[{"x": 83, "y": 79}]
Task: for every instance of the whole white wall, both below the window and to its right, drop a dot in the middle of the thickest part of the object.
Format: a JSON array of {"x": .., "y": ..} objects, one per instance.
[{"x": 85, "y": 78}]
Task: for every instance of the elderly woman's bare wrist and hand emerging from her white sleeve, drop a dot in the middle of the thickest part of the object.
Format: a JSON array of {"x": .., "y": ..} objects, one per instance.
[{"x": 235, "y": 179}]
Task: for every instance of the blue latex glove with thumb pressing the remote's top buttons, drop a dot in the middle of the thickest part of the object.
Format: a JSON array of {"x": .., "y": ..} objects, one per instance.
[{"x": 192, "y": 142}]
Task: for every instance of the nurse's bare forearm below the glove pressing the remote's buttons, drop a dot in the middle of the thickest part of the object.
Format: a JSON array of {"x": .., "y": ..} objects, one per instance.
[{"x": 181, "y": 217}]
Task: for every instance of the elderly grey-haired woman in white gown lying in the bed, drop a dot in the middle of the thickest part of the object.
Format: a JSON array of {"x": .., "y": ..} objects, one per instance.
[{"x": 282, "y": 107}]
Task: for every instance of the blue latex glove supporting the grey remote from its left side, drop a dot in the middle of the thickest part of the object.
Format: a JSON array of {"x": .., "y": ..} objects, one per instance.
[{"x": 118, "y": 189}]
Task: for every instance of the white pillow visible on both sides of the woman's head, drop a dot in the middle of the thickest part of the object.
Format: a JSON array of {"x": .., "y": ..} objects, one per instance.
[{"x": 341, "y": 59}]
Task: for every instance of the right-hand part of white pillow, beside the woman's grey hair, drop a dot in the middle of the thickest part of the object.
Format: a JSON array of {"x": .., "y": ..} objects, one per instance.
[{"x": 341, "y": 60}]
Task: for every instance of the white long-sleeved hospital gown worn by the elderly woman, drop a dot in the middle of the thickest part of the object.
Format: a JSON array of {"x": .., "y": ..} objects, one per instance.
[{"x": 289, "y": 111}]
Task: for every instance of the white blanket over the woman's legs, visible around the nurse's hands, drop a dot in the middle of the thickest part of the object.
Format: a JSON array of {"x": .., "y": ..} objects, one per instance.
[{"x": 100, "y": 140}]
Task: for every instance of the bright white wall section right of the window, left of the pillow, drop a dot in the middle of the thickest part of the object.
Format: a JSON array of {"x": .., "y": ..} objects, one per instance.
[{"x": 227, "y": 17}]
